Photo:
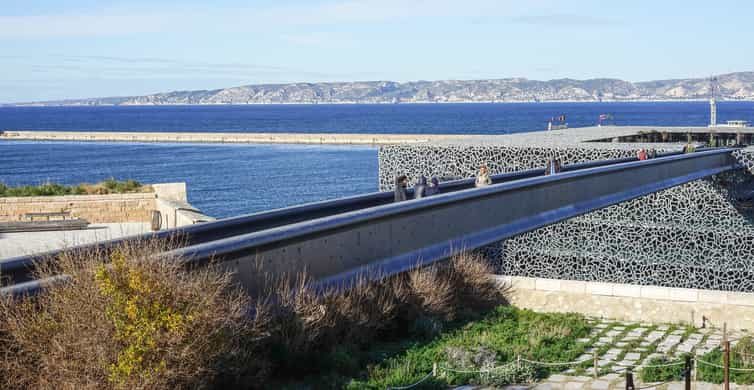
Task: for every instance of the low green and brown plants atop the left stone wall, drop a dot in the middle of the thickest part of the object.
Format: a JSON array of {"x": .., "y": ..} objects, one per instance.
[{"x": 110, "y": 186}]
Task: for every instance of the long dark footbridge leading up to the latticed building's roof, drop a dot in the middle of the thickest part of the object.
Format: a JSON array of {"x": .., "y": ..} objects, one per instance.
[{"x": 339, "y": 240}]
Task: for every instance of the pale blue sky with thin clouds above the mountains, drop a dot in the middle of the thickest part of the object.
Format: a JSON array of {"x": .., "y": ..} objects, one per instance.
[{"x": 56, "y": 49}]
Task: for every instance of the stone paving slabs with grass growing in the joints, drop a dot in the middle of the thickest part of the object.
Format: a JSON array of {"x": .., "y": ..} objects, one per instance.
[{"x": 621, "y": 345}]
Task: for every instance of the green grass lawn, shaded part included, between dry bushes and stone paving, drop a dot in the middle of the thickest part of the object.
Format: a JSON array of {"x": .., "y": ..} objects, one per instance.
[{"x": 492, "y": 340}]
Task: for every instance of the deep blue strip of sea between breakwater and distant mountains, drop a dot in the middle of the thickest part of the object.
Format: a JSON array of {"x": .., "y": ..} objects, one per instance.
[{"x": 395, "y": 118}]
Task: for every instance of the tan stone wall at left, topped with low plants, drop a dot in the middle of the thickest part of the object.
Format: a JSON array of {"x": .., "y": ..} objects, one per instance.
[{"x": 112, "y": 208}]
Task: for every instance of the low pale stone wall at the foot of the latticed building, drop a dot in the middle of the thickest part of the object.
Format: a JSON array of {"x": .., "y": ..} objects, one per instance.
[{"x": 627, "y": 302}]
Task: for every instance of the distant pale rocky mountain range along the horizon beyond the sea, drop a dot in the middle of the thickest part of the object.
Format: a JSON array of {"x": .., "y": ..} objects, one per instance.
[{"x": 732, "y": 86}]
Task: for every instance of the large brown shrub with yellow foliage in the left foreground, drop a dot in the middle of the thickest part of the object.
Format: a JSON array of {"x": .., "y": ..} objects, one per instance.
[{"x": 138, "y": 322}]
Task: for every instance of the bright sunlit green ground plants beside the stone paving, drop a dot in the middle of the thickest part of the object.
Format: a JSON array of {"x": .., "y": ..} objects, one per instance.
[{"x": 491, "y": 343}]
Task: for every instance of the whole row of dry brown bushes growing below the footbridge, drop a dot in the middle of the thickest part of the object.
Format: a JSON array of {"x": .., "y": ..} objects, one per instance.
[{"x": 143, "y": 323}]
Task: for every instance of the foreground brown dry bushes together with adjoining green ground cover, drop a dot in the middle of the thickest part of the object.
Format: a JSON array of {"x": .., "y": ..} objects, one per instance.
[{"x": 129, "y": 319}]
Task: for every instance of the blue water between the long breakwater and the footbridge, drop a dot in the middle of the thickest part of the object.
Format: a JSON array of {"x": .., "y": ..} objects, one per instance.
[{"x": 223, "y": 180}]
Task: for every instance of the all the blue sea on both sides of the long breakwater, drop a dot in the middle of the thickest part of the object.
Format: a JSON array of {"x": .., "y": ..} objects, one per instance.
[{"x": 227, "y": 180}]
